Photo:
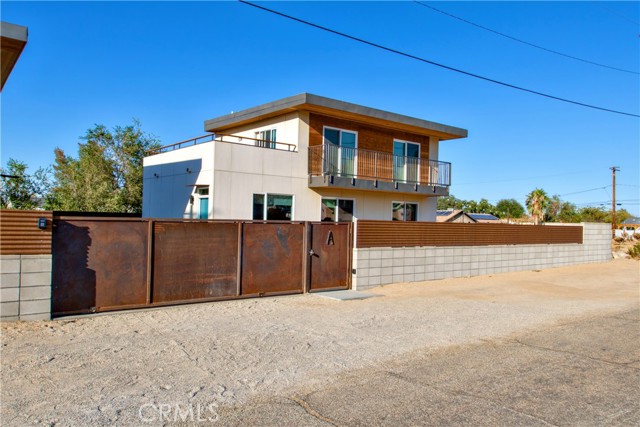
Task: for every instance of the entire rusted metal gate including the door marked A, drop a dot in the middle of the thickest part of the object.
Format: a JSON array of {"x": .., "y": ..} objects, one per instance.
[{"x": 102, "y": 264}]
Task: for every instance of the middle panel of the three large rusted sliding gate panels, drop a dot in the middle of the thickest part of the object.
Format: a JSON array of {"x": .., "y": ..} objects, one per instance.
[{"x": 194, "y": 260}]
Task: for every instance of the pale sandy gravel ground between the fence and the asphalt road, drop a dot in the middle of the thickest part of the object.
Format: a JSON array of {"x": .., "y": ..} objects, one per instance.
[{"x": 101, "y": 370}]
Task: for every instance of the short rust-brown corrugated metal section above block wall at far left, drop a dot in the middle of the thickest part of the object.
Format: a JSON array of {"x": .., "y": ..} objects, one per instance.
[{"x": 20, "y": 235}]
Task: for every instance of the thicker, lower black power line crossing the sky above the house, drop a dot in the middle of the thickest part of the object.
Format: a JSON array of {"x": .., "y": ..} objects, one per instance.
[{"x": 446, "y": 67}]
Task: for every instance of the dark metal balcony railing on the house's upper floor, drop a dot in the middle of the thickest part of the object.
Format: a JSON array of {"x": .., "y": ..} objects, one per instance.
[{"x": 330, "y": 159}]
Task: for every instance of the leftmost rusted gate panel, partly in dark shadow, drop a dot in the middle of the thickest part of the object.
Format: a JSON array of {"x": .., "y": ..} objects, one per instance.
[{"x": 98, "y": 265}]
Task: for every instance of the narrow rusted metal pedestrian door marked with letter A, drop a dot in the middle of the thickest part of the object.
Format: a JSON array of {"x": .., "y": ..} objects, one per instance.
[{"x": 331, "y": 256}]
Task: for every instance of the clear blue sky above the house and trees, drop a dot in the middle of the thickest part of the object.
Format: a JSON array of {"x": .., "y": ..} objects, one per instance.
[{"x": 174, "y": 65}]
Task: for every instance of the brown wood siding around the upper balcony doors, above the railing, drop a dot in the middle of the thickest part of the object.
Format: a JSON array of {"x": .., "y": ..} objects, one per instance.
[{"x": 369, "y": 137}]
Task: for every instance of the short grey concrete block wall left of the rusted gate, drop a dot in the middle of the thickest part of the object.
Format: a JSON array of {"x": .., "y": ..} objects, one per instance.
[{"x": 25, "y": 287}]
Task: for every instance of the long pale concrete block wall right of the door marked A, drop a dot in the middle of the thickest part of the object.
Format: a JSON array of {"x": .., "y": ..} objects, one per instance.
[{"x": 382, "y": 266}]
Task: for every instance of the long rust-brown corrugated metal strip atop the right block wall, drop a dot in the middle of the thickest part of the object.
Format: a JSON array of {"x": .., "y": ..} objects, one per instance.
[{"x": 398, "y": 234}]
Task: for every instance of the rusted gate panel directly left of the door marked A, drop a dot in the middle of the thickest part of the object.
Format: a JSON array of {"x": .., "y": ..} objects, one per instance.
[{"x": 272, "y": 258}]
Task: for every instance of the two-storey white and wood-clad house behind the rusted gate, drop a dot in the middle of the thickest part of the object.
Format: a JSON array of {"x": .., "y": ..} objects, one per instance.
[{"x": 307, "y": 158}]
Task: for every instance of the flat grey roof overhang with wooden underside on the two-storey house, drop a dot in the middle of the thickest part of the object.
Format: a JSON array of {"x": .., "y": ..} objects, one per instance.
[{"x": 338, "y": 109}]
